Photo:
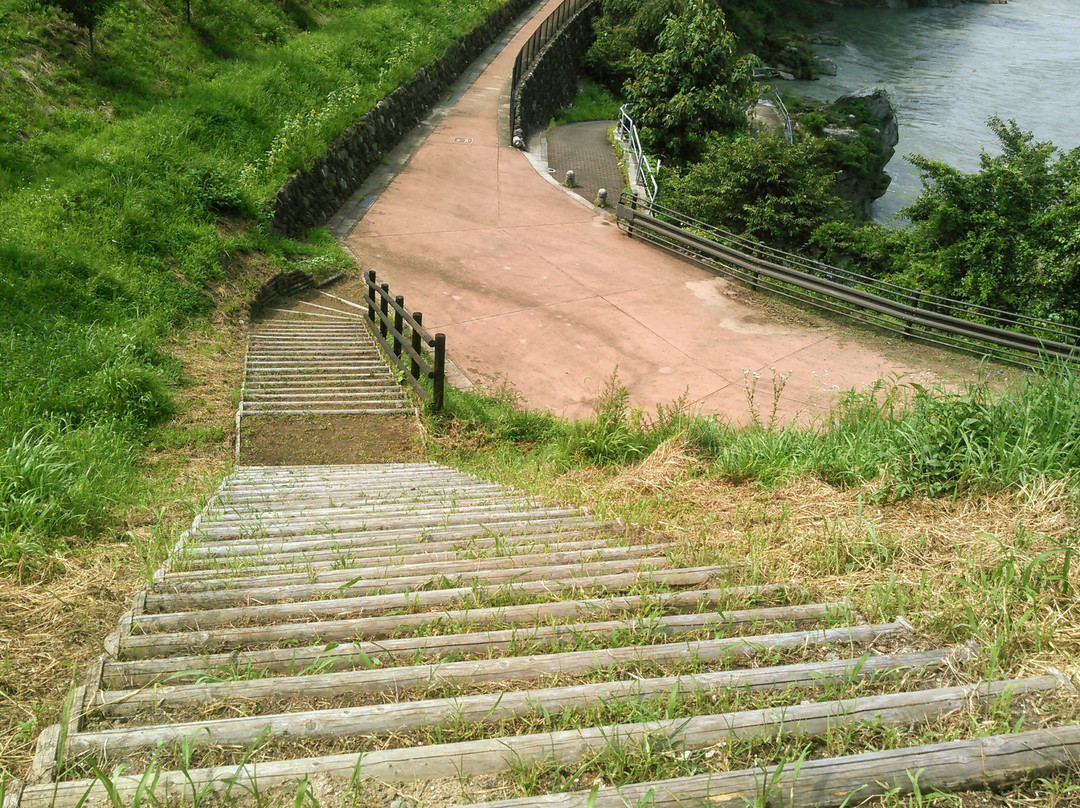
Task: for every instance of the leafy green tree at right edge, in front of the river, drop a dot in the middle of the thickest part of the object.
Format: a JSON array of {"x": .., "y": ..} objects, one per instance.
[{"x": 1007, "y": 236}]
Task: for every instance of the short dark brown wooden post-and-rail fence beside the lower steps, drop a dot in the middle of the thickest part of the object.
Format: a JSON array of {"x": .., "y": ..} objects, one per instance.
[{"x": 388, "y": 320}]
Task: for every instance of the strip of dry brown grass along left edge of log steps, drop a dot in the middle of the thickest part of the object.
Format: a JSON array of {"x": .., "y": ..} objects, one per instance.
[{"x": 55, "y": 621}]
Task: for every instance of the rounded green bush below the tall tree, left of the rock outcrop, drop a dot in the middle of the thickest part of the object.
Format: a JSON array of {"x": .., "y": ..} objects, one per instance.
[{"x": 763, "y": 188}]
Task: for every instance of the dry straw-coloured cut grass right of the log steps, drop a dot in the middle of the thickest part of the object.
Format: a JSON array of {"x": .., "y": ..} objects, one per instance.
[{"x": 956, "y": 565}]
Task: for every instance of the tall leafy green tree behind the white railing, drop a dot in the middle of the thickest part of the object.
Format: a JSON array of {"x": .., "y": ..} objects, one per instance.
[{"x": 694, "y": 86}]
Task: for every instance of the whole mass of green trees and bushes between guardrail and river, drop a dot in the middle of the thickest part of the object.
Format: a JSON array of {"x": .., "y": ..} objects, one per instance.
[{"x": 1007, "y": 236}]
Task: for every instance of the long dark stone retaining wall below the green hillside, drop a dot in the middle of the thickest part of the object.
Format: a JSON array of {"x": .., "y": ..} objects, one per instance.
[{"x": 309, "y": 198}]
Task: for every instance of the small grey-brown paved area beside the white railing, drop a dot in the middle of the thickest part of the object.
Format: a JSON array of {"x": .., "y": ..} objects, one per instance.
[{"x": 586, "y": 150}]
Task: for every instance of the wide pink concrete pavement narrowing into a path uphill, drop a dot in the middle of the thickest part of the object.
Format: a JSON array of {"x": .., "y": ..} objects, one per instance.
[{"x": 535, "y": 289}]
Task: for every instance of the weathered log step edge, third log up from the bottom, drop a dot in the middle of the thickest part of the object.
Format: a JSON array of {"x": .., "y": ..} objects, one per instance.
[{"x": 492, "y": 708}]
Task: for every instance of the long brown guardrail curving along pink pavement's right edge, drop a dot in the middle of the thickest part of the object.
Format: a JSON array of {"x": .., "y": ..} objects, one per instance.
[{"x": 1017, "y": 340}]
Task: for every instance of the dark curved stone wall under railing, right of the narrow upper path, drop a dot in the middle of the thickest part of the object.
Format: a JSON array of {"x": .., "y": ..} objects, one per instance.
[{"x": 552, "y": 83}]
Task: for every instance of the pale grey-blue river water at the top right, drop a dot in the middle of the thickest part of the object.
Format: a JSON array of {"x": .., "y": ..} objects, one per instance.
[{"x": 950, "y": 70}]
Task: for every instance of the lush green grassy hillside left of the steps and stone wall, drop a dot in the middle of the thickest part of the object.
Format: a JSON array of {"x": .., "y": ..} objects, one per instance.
[{"x": 115, "y": 176}]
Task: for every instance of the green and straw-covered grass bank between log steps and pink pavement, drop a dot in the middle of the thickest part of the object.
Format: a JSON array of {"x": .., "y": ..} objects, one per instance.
[{"x": 956, "y": 509}]
